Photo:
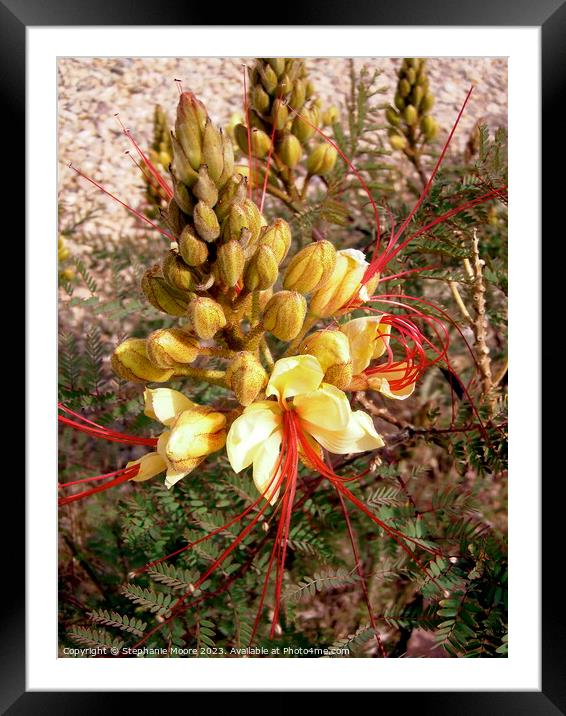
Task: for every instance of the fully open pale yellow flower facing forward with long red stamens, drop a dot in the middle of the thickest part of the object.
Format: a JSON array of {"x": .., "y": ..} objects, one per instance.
[{"x": 262, "y": 435}]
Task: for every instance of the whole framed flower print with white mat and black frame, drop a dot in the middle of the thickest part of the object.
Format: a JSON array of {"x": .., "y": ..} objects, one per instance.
[{"x": 264, "y": 457}]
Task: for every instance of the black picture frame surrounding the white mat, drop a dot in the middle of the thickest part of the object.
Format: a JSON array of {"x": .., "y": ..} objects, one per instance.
[{"x": 550, "y": 16}]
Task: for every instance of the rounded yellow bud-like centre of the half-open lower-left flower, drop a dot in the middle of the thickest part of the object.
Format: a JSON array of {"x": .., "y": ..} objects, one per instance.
[{"x": 196, "y": 432}]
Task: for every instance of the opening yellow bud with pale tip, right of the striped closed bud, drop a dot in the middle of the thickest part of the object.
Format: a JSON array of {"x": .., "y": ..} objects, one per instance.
[{"x": 343, "y": 285}]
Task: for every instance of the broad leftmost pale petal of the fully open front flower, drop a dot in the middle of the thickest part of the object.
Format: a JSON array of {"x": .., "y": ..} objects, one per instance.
[{"x": 247, "y": 433}]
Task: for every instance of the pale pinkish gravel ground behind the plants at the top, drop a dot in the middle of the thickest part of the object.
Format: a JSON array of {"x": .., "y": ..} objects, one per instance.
[{"x": 93, "y": 90}]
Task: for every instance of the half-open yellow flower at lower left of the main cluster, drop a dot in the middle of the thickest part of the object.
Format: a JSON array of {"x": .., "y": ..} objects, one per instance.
[{"x": 195, "y": 432}]
